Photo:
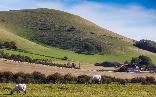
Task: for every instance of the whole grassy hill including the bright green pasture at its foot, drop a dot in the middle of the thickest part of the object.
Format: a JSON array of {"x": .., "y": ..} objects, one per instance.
[{"x": 57, "y": 34}]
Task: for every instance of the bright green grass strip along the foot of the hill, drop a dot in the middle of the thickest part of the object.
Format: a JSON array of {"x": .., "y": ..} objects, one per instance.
[{"x": 59, "y": 53}]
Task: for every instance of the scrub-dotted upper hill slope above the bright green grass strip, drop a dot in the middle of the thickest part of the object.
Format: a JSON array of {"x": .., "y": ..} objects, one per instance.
[{"x": 63, "y": 30}]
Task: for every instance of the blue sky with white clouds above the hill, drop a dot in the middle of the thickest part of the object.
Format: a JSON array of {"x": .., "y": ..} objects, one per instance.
[{"x": 135, "y": 19}]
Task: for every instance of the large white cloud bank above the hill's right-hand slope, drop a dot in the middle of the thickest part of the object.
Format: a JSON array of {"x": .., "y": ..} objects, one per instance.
[{"x": 131, "y": 21}]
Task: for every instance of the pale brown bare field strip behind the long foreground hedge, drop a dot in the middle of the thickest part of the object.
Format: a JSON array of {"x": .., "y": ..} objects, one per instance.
[{"x": 6, "y": 65}]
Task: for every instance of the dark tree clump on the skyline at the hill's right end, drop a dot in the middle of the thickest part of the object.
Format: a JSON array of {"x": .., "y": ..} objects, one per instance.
[{"x": 146, "y": 45}]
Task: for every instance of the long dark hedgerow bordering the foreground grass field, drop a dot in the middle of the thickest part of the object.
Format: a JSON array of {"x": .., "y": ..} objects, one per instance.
[{"x": 57, "y": 78}]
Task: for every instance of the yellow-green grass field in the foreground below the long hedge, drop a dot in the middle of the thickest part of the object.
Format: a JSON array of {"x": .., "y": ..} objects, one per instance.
[{"x": 82, "y": 90}]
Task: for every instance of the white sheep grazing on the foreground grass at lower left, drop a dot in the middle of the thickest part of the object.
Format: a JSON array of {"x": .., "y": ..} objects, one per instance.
[{"x": 18, "y": 88}]
